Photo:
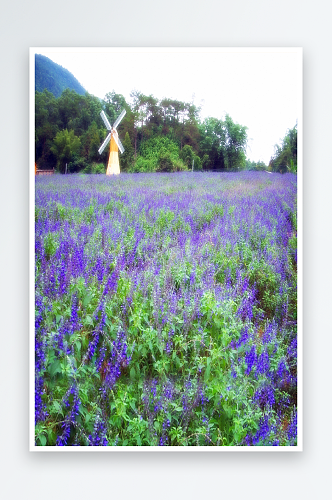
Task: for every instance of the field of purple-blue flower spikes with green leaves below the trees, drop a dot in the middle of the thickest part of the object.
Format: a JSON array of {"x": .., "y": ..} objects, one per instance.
[{"x": 166, "y": 310}]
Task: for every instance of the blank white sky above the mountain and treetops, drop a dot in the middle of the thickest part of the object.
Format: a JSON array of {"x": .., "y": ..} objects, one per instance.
[{"x": 260, "y": 88}]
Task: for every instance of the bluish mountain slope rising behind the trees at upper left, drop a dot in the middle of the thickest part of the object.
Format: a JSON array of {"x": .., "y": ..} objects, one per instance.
[{"x": 55, "y": 78}]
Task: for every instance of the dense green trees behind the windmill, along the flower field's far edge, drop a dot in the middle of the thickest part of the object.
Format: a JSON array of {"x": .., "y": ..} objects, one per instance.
[{"x": 164, "y": 135}]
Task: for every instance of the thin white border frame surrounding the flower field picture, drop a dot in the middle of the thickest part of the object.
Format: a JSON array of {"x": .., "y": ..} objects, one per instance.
[{"x": 32, "y": 447}]
